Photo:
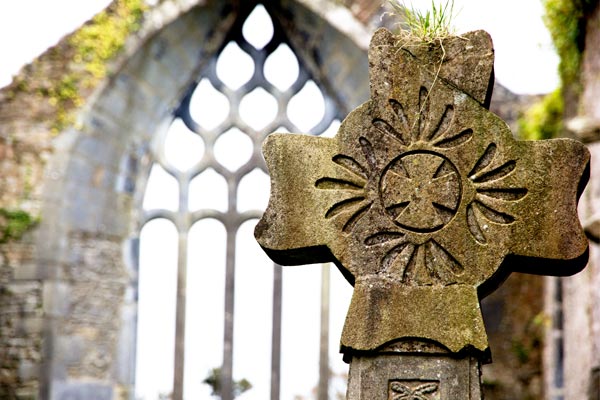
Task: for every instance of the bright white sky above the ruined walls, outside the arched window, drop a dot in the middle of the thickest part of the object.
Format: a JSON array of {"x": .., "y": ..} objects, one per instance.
[{"x": 525, "y": 61}]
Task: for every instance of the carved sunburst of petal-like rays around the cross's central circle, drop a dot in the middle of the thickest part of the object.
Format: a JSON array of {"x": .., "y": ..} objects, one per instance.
[{"x": 420, "y": 190}]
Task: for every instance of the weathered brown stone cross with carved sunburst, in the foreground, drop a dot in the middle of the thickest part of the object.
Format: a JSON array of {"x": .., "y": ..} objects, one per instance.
[{"x": 425, "y": 202}]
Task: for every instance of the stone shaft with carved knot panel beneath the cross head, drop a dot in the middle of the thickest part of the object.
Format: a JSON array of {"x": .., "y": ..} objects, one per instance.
[{"x": 410, "y": 376}]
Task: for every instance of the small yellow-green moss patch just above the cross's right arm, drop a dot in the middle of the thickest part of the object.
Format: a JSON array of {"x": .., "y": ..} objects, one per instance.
[{"x": 543, "y": 120}]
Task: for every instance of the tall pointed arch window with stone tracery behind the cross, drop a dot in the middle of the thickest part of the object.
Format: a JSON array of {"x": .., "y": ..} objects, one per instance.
[{"x": 216, "y": 305}]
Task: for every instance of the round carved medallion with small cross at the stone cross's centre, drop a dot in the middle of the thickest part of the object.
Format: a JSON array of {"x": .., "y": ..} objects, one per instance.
[{"x": 420, "y": 191}]
